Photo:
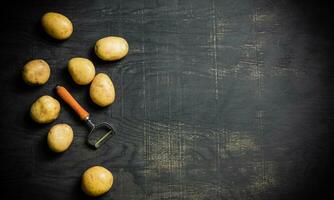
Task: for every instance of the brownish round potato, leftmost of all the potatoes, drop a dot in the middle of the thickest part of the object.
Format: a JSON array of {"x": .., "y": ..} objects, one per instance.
[{"x": 36, "y": 72}]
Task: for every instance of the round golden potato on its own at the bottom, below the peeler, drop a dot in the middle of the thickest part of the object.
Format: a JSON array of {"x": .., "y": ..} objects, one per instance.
[{"x": 96, "y": 181}]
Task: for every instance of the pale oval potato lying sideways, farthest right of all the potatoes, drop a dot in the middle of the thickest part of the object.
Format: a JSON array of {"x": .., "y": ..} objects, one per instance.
[{"x": 111, "y": 48}]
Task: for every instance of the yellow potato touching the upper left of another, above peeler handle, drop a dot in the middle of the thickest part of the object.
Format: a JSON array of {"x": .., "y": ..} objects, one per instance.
[{"x": 82, "y": 70}]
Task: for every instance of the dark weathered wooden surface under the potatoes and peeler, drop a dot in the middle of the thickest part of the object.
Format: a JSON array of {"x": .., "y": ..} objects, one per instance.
[{"x": 219, "y": 99}]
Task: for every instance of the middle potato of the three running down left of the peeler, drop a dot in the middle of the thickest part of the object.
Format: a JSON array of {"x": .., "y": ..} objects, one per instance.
[{"x": 45, "y": 109}]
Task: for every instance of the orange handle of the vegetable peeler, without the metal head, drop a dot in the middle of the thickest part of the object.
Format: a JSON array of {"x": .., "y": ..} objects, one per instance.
[{"x": 67, "y": 97}]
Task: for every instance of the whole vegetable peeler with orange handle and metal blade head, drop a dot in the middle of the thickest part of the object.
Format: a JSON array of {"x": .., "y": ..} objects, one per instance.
[{"x": 95, "y": 138}]
